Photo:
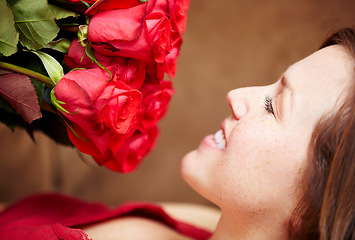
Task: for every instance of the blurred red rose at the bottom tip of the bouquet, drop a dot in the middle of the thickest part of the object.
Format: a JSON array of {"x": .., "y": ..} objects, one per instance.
[{"x": 132, "y": 151}]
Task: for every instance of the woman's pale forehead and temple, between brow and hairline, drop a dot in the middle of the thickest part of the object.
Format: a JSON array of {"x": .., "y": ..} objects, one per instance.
[{"x": 319, "y": 82}]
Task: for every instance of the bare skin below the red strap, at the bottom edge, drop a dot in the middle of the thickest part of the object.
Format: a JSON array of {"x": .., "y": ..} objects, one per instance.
[{"x": 131, "y": 228}]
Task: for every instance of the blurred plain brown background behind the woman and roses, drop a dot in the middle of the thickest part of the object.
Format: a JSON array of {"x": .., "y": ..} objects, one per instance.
[{"x": 227, "y": 44}]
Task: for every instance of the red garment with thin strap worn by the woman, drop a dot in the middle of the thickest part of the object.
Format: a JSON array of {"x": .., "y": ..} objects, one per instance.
[{"x": 57, "y": 217}]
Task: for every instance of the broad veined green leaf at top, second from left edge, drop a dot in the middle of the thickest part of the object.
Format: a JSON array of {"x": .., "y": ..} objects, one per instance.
[{"x": 35, "y": 22}]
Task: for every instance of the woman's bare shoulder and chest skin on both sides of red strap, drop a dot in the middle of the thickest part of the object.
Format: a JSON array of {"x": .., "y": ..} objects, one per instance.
[{"x": 131, "y": 227}]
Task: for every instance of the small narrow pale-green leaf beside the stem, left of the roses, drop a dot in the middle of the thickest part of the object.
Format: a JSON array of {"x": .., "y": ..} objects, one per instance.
[{"x": 53, "y": 67}]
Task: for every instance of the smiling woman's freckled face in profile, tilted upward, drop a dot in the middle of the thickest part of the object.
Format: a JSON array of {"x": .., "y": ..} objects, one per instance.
[{"x": 252, "y": 168}]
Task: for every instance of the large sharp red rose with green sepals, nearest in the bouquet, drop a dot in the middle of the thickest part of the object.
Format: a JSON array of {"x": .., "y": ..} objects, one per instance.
[{"x": 100, "y": 111}]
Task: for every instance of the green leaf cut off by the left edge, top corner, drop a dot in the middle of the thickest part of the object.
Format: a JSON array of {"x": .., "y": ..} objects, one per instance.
[{"x": 8, "y": 34}]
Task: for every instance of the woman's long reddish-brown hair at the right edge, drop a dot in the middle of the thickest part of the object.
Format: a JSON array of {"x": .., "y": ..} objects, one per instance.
[{"x": 327, "y": 209}]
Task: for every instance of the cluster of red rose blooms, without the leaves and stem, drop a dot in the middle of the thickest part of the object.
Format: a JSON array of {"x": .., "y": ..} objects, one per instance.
[{"x": 113, "y": 117}]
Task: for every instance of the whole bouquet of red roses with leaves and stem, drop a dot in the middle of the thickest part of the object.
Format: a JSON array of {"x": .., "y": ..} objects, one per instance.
[{"x": 96, "y": 69}]
